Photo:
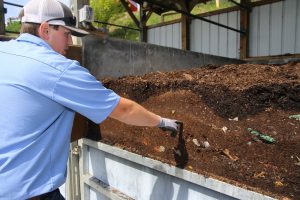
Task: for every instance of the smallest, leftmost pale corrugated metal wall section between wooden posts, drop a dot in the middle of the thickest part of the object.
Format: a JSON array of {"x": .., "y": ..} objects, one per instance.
[{"x": 169, "y": 35}]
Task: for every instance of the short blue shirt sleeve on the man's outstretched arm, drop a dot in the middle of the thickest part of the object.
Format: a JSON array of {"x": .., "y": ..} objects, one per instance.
[{"x": 78, "y": 90}]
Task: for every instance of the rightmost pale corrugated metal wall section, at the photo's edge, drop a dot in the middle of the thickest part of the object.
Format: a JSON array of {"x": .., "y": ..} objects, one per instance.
[{"x": 275, "y": 29}]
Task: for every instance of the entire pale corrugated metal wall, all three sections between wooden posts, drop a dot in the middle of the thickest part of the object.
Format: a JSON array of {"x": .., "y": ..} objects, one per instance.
[{"x": 274, "y": 30}]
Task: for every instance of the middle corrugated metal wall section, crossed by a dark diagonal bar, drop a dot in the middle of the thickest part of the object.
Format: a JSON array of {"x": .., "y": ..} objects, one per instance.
[{"x": 211, "y": 39}]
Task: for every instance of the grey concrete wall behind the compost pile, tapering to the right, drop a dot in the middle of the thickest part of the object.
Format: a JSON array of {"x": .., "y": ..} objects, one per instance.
[{"x": 114, "y": 58}]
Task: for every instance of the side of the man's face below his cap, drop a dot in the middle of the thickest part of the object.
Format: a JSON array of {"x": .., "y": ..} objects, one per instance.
[{"x": 60, "y": 39}]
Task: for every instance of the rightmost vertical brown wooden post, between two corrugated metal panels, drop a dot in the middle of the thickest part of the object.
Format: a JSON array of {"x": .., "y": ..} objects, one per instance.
[{"x": 244, "y": 24}]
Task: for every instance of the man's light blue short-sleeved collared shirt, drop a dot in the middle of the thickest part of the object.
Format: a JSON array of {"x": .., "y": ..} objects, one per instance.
[{"x": 39, "y": 92}]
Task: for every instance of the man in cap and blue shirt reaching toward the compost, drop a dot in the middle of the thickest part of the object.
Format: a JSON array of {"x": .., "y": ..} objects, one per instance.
[{"x": 40, "y": 91}]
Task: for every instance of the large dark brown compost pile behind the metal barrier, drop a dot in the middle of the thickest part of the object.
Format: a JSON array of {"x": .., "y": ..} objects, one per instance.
[{"x": 241, "y": 123}]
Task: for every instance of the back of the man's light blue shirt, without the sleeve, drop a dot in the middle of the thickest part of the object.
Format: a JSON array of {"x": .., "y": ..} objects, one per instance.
[{"x": 34, "y": 127}]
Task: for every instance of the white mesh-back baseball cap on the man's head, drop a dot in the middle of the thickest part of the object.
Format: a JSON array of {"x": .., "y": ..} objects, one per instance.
[{"x": 53, "y": 12}]
